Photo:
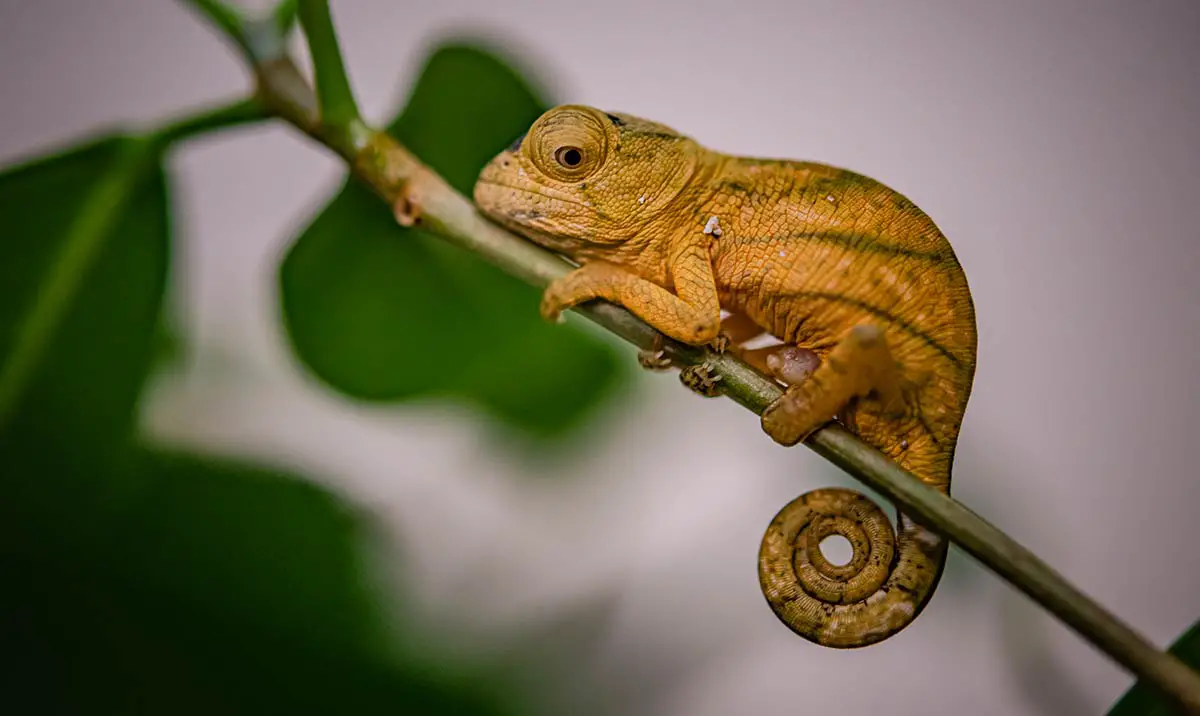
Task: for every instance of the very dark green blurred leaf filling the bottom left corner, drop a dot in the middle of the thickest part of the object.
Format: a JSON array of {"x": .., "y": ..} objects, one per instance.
[{"x": 230, "y": 589}]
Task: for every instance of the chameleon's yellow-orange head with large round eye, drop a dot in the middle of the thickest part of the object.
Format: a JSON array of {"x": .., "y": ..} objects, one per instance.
[{"x": 583, "y": 178}]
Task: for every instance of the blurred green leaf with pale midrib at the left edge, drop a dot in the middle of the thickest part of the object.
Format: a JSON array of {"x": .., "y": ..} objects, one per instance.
[{"x": 83, "y": 267}]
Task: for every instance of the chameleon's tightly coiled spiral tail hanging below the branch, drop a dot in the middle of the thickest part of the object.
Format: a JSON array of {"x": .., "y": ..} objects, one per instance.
[{"x": 877, "y": 594}]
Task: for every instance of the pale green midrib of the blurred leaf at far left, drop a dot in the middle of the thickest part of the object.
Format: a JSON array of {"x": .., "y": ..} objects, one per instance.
[{"x": 85, "y": 238}]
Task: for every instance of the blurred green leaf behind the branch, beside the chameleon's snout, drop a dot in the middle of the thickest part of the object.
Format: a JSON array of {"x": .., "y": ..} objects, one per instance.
[{"x": 386, "y": 314}]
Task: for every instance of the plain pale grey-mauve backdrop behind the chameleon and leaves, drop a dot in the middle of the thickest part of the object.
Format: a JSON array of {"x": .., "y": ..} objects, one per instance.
[{"x": 1057, "y": 146}]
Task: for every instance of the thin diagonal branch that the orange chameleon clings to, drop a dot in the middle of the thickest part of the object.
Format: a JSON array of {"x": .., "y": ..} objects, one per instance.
[{"x": 418, "y": 195}]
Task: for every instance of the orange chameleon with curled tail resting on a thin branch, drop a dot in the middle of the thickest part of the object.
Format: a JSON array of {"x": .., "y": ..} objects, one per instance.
[{"x": 863, "y": 300}]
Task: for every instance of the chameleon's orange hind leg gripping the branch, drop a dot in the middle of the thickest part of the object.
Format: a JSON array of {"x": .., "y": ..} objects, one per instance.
[{"x": 859, "y": 366}]
